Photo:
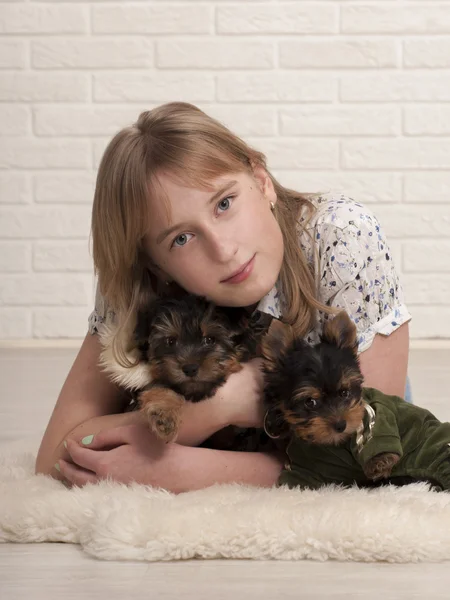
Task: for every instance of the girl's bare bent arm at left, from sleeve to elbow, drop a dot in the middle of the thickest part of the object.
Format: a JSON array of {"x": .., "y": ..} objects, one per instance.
[{"x": 87, "y": 394}]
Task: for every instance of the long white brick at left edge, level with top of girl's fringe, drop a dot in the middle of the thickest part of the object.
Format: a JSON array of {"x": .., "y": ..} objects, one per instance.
[{"x": 29, "y": 153}]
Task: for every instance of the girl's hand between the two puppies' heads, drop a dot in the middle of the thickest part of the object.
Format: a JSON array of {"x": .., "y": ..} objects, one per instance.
[{"x": 242, "y": 395}]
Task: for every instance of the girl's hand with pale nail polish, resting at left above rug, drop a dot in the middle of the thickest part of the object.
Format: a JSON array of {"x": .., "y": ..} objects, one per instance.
[{"x": 123, "y": 454}]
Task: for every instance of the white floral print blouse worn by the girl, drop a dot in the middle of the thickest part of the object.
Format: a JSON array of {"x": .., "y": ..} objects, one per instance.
[{"x": 353, "y": 266}]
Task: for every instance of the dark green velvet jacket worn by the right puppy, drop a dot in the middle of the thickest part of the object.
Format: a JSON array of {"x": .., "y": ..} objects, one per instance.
[{"x": 390, "y": 425}]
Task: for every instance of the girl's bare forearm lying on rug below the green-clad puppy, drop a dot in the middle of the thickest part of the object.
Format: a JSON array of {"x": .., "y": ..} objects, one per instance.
[{"x": 200, "y": 468}]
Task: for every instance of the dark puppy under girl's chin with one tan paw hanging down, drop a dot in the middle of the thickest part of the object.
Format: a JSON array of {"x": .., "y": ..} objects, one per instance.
[{"x": 191, "y": 347}]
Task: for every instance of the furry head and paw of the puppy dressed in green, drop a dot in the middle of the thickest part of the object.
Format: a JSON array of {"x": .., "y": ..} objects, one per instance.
[{"x": 315, "y": 394}]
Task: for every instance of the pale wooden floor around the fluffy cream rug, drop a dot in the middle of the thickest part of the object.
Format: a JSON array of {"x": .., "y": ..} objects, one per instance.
[{"x": 30, "y": 381}]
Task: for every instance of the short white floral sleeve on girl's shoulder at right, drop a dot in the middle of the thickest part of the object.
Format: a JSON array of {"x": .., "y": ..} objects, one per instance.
[{"x": 357, "y": 271}]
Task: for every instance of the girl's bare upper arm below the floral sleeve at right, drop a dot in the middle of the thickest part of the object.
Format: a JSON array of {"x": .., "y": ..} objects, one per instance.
[{"x": 385, "y": 364}]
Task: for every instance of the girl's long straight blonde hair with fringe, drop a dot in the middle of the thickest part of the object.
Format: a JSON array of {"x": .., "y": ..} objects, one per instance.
[{"x": 181, "y": 139}]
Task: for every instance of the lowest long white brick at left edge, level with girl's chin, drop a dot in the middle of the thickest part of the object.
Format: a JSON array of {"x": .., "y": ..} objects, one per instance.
[{"x": 45, "y": 290}]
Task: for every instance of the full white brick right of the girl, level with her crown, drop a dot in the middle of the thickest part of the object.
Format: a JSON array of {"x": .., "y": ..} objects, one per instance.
[{"x": 340, "y": 120}]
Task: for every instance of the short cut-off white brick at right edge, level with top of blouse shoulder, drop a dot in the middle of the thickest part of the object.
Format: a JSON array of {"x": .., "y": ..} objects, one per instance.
[{"x": 426, "y": 187}]
